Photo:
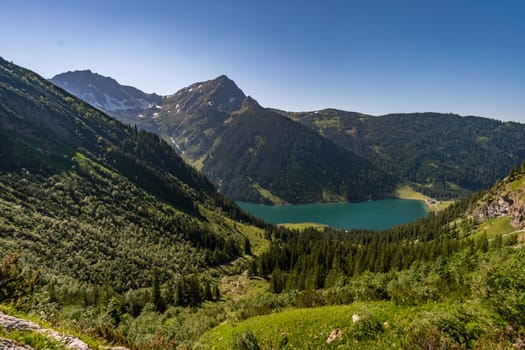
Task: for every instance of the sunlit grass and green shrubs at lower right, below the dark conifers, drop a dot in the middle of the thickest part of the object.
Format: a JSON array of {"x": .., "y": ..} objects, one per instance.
[{"x": 488, "y": 316}]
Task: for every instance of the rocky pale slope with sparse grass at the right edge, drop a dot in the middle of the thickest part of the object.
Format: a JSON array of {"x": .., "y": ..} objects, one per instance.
[{"x": 506, "y": 199}]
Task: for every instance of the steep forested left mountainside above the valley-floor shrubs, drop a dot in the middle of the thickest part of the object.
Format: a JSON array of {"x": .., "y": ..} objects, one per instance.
[{"x": 85, "y": 198}]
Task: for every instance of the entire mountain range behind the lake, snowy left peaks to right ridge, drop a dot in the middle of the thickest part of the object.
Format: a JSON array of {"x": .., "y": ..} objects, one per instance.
[{"x": 257, "y": 154}]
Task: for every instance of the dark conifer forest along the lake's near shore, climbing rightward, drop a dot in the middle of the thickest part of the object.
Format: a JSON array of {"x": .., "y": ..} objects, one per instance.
[{"x": 312, "y": 260}]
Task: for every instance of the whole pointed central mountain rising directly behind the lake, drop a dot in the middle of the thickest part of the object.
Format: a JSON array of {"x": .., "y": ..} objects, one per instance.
[{"x": 256, "y": 155}]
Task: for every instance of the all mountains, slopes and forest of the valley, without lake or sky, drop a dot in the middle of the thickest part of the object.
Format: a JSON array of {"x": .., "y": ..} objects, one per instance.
[{"x": 110, "y": 239}]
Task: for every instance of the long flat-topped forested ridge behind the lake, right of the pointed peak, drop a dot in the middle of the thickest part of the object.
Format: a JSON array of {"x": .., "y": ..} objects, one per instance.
[{"x": 442, "y": 155}]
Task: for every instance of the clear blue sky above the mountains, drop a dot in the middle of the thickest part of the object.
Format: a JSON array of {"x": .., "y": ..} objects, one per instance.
[{"x": 375, "y": 57}]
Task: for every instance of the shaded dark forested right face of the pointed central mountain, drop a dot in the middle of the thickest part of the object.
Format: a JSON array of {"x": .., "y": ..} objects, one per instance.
[{"x": 261, "y": 148}]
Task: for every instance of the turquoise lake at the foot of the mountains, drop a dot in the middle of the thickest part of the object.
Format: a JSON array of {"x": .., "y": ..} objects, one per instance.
[{"x": 373, "y": 215}]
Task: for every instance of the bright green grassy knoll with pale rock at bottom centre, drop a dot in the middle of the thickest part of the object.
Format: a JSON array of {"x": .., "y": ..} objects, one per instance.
[{"x": 371, "y": 325}]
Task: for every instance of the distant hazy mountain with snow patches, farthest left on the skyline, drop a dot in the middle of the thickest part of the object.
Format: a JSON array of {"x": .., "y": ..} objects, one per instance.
[{"x": 125, "y": 103}]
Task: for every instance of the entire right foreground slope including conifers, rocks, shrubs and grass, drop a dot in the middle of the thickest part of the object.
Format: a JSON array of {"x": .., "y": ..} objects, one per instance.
[{"x": 462, "y": 287}]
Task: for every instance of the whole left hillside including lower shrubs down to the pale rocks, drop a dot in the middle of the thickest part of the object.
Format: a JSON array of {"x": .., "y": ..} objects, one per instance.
[{"x": 109, "y": 217}]
